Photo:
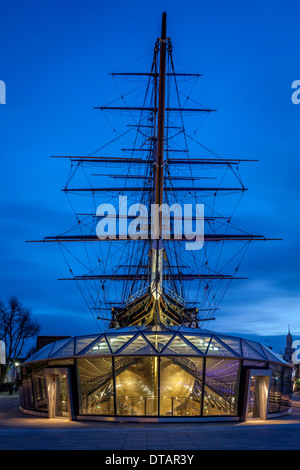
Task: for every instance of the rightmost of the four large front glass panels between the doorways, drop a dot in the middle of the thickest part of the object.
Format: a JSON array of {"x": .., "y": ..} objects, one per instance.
[{"x": 221, "y": 387}]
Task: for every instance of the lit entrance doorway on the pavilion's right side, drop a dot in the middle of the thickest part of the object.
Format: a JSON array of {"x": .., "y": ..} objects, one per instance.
[{"x": 257, "y": 394}]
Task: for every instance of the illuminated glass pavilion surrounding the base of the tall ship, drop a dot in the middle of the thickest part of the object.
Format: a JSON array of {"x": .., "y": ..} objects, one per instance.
[{"x": 155, "y": 374}]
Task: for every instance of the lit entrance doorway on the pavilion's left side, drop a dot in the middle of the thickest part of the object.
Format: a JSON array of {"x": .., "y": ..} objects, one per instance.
[{"x": 59, "y": 393}]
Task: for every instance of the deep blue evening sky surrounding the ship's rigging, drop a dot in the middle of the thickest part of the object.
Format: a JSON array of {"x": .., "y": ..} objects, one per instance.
[{"x": 55, "y": 57}]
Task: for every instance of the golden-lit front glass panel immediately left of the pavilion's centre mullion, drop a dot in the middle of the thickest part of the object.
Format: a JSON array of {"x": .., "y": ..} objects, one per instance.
[{"x": 137, "y": 385}]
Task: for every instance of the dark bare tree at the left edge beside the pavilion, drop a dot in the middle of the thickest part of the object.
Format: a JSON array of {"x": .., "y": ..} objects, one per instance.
[{"x": 16, "y": 327}]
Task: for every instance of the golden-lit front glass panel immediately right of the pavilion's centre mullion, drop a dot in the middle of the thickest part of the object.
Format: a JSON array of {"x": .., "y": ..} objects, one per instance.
[{"x": 180, "y": 386}]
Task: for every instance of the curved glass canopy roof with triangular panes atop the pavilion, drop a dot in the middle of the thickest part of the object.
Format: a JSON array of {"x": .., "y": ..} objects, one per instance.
[{"x": 151, "y": 341}]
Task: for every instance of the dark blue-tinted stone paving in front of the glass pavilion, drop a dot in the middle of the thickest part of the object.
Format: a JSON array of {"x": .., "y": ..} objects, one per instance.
[{"x": 24, "y": 432}]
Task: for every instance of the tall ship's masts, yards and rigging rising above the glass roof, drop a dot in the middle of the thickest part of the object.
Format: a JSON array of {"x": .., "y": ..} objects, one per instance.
[{"x": 155, "y": 282}]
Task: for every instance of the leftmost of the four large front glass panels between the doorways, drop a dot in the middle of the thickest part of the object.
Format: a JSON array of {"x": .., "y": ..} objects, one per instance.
[{"x": 95, "y": 386}]
